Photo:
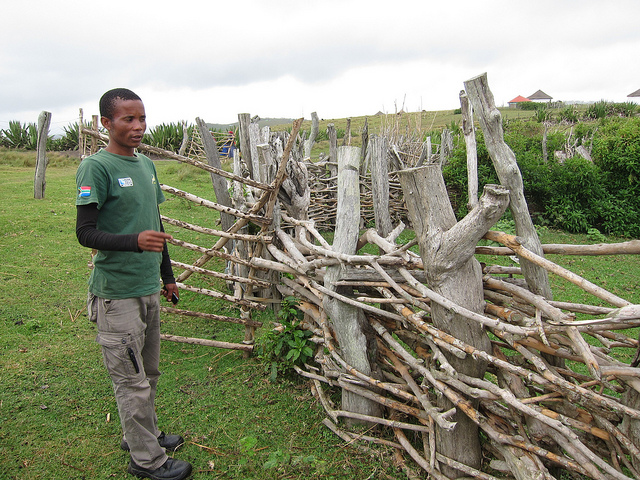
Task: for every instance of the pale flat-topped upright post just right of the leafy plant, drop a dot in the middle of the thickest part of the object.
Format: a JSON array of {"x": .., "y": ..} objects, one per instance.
[{"x": 349, "y": 320}]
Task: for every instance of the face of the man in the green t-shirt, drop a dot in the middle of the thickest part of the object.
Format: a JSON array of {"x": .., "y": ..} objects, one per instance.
[{"x": 126, "y": 127}]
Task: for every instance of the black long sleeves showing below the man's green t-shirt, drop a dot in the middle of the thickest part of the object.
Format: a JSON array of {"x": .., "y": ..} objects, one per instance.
[{"x": 89, "y": 236}]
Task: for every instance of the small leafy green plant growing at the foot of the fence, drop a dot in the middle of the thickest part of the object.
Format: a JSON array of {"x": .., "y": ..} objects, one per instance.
[{"x": 287, "y": 345}]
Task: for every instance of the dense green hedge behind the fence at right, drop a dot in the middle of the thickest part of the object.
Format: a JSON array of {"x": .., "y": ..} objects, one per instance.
[{"x": 575, "y": 195}]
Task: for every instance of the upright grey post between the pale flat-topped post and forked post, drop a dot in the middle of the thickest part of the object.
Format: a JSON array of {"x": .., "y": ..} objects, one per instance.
[{"x": 378, "y": 148}]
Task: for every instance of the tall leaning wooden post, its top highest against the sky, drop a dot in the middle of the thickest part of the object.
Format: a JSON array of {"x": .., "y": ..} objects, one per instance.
[{"x": 504, "y": 161}]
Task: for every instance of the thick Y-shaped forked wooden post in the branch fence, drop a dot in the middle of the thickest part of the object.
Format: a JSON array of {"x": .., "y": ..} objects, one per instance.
[{"x": 447, "y": 250}]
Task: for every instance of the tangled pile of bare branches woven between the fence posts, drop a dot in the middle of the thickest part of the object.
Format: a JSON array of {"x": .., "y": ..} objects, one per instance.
[{"x": 554, "y": 397}]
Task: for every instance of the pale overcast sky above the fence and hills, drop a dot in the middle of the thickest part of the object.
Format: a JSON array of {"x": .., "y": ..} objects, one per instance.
[{"x": 288, "y": 58}]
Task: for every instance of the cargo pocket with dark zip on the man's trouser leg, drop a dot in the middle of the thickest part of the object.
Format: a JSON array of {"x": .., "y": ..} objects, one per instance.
[{"x": 121, "y": 357}]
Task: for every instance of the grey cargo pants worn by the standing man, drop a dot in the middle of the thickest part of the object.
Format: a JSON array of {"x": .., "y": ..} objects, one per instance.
[{"x": 129, "y": 333}]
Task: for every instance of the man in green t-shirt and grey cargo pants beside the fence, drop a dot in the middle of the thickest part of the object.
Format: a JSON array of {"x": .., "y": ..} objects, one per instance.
[{"x": 117, "y": 214}]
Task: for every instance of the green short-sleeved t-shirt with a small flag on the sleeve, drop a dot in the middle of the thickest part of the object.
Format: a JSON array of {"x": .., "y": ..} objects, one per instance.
[{"x": 127, "y": 193}]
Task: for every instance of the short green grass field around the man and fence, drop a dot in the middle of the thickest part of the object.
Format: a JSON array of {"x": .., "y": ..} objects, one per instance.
[{"x": 58, "y": 418}]
